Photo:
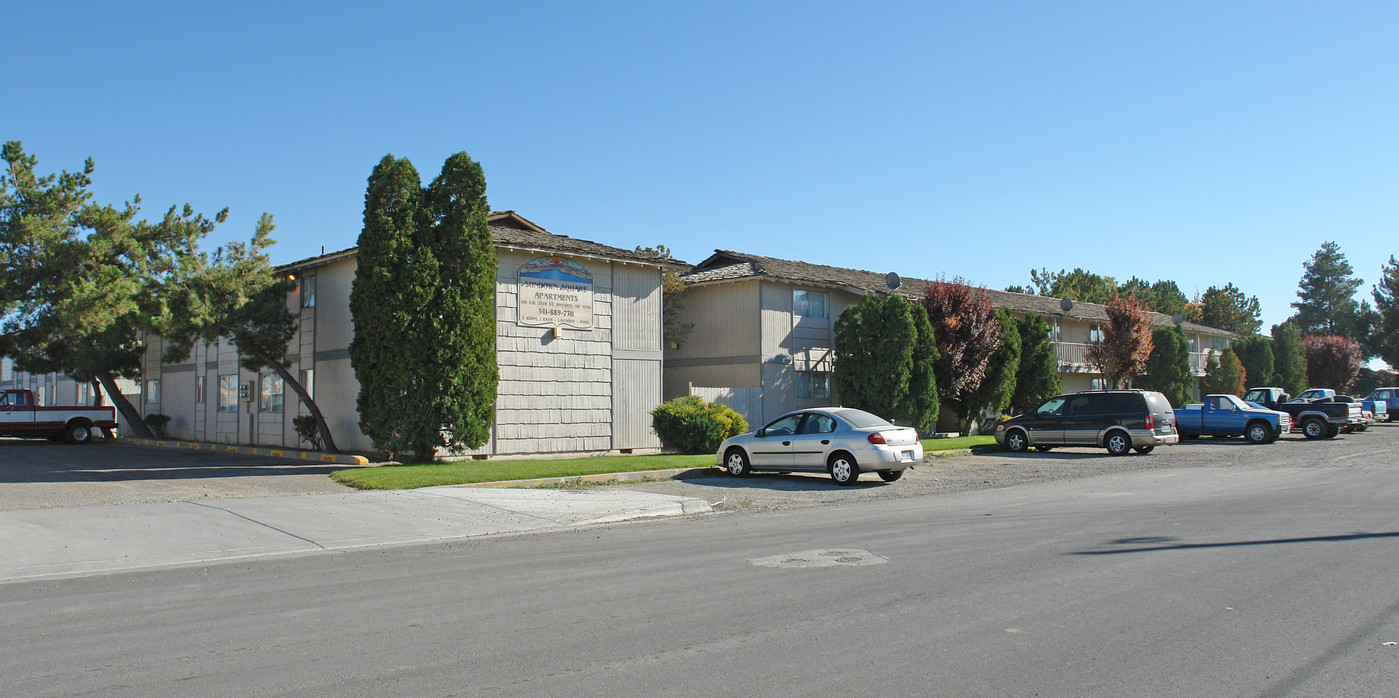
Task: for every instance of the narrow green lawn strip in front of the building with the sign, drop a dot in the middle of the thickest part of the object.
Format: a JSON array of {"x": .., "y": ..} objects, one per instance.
[{"x": 468, "y": 472}]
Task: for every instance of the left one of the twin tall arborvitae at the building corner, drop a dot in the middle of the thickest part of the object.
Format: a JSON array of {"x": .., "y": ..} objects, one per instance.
[{"x": 388, "y": 301}]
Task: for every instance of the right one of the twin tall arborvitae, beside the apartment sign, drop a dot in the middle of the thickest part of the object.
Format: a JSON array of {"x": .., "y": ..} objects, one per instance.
[{"x": 462, "y": 335}]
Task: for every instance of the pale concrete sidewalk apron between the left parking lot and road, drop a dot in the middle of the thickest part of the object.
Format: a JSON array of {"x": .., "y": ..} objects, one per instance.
[{"x": 86, "y": 541}]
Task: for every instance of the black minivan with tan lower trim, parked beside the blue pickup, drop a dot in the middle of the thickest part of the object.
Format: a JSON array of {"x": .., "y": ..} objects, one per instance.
[{"x": 1117, "y": 420}]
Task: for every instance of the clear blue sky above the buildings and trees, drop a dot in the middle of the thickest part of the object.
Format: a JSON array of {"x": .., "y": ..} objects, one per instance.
[{"x": 1197, "y": 142}]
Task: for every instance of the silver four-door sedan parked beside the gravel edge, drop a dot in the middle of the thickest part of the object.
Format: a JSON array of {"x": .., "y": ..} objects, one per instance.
[{"x": 840, "y": 441}]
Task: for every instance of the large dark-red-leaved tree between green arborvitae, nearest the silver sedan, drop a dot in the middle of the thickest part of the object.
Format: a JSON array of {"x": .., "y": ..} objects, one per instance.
[{"x": 967, "y": 335}]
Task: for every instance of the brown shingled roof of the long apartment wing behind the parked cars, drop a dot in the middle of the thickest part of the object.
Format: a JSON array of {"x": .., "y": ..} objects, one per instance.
[{"x": 728, "y": 266}]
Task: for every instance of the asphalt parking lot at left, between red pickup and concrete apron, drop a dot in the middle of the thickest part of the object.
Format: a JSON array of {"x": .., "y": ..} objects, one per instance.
[{"x": 38, "y": 475}]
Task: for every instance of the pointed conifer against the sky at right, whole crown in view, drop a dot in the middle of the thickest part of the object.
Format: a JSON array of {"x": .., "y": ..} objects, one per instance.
[{"x": 1327, "y": 296}]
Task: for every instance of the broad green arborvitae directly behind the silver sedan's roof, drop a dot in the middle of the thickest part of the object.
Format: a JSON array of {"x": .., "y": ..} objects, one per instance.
[{"x": 875, "y": 342}]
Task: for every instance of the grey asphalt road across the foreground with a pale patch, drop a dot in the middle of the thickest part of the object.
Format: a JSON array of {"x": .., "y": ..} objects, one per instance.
[{"x": 1172, "y": 580}]
